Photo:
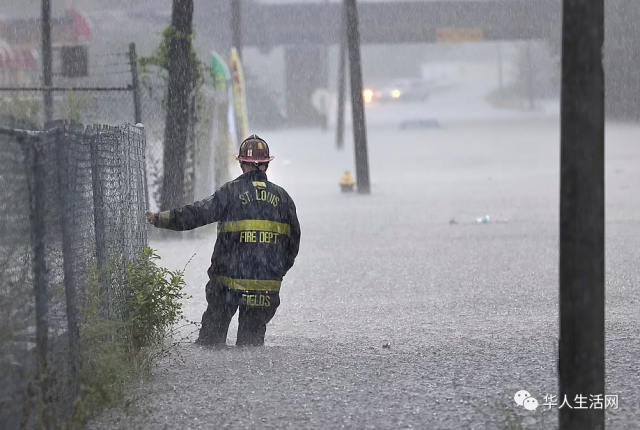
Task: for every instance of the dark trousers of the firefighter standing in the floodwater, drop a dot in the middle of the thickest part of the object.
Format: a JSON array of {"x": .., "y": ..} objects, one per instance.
[{"x": 256, "y": 310}]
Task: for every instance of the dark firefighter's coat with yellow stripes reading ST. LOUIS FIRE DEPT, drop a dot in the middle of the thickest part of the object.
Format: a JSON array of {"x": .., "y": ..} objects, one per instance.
[{"x": 258, "y": 232}]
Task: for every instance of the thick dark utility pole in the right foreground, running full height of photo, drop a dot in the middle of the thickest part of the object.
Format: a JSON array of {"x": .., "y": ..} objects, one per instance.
[{"x": 581, "y": 364}]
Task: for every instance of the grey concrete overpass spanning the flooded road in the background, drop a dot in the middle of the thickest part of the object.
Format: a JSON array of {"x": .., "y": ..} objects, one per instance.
[{"x": 305, "y": 29}]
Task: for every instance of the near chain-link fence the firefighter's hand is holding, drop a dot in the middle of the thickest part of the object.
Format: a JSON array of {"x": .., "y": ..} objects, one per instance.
[{"x": 72, "y": 204}]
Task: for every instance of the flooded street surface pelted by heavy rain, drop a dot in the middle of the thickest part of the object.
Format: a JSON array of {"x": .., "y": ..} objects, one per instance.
[{"x": 401, "y": 310}]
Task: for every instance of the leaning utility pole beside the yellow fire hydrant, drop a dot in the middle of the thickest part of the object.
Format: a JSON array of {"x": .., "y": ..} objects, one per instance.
[{"x": 357, "y": 102}]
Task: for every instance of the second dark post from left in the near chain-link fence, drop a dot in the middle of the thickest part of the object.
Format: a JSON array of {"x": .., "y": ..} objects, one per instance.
[{"x": 70, "y": 286}]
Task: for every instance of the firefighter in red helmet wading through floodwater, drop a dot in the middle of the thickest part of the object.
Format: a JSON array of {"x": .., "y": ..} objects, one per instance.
[{"x": 257, "y": 243}]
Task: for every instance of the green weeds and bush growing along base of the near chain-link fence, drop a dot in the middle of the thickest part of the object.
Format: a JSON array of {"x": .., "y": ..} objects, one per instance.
[{"x": 117, "y": 350}]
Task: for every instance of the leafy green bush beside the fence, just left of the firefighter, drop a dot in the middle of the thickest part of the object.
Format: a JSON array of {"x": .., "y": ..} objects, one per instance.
[{"x": 118, "y": 352}]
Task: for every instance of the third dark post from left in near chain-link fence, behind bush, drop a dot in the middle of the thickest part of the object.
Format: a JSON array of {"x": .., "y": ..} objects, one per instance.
[{"x": 100, "y": 229}]
